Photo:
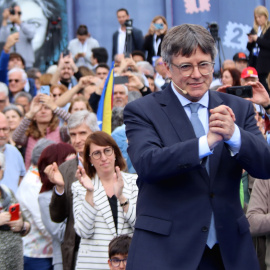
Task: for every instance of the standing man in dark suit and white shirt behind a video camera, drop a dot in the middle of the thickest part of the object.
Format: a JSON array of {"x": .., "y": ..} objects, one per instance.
[{"x": 119, "y": 37}]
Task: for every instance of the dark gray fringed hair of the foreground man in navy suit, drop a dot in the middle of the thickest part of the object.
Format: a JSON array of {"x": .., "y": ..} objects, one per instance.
[{"x": 185, "y": 39}]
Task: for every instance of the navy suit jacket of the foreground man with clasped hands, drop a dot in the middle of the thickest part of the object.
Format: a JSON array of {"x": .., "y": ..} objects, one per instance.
[{"x": 177, "y": 196}]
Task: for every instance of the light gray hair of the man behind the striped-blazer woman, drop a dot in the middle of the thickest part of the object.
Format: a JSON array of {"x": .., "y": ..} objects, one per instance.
[{"x": 83, "y": 117}]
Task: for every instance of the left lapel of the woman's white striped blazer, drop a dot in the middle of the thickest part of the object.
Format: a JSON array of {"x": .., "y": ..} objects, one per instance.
[{"x": 102, "y": 204}]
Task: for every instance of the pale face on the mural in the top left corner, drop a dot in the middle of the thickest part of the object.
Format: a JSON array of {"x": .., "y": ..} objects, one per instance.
[{"x": 33, "y": 14}]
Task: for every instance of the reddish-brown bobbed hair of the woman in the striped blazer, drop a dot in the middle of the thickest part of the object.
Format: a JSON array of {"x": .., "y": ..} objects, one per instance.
[{"x": 101, "y": 138}]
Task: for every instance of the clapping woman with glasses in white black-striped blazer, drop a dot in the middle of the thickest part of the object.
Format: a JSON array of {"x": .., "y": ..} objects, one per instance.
[{"x": 104, "y": 200}]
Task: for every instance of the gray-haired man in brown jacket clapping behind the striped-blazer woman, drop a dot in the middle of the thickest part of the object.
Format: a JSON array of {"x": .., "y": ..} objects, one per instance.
[{"x": 80, "y": 125}]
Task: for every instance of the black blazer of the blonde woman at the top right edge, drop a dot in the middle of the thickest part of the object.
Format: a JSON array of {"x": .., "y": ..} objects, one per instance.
[{"x": 263, "y": 60}]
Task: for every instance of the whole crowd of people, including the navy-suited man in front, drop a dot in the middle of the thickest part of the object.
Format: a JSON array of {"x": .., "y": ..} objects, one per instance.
[{"x": 179, "y": 173}]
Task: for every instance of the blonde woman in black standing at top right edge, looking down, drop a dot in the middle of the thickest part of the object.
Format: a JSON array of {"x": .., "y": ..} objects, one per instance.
[{"x": 260, "y": 39}]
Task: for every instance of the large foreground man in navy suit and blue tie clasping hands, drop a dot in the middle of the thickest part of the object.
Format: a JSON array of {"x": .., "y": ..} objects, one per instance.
[{"x": 189, "y": 164}]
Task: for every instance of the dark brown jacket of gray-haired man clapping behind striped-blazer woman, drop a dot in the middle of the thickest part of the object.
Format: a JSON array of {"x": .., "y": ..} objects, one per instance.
[{"x": 61, "y": 207}]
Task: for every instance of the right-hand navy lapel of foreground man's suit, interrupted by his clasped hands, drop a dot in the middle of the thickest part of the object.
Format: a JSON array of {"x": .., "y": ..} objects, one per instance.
[{"x": 214, "y": 101}]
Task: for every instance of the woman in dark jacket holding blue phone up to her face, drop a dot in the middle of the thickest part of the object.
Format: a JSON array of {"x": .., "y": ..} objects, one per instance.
[{"x": 153, "y": 39}]
